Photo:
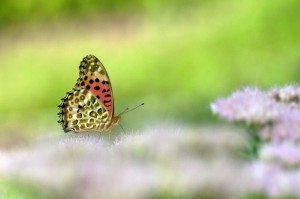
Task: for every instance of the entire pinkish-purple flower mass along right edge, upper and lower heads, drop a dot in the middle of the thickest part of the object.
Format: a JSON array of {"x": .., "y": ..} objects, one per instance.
[{"x": 276, "y": 114}]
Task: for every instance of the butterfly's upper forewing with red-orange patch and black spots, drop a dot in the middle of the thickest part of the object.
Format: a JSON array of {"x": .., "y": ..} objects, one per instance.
[{"x": 93, "y": 77}]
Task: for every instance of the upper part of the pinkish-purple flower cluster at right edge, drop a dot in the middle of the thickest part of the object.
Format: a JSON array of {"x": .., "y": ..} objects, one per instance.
[{"x": 277, "y": 111}]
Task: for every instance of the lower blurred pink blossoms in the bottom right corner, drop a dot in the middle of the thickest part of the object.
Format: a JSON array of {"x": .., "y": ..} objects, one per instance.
[{"x": 277, "y": 172}]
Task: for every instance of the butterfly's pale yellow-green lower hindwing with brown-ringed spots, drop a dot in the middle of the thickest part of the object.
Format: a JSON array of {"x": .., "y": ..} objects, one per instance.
[{"x": 81, "y": 111}]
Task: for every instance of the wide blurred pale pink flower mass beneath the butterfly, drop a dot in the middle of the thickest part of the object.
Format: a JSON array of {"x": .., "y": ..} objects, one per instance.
[{"x": 159, "y": 163}]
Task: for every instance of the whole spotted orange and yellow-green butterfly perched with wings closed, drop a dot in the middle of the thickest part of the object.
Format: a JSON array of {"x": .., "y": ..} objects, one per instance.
[{"x": 89, "y": 106}]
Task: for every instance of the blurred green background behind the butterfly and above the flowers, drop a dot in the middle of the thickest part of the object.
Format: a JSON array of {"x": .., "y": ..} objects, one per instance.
[{"x": 175, "y": 56}]
